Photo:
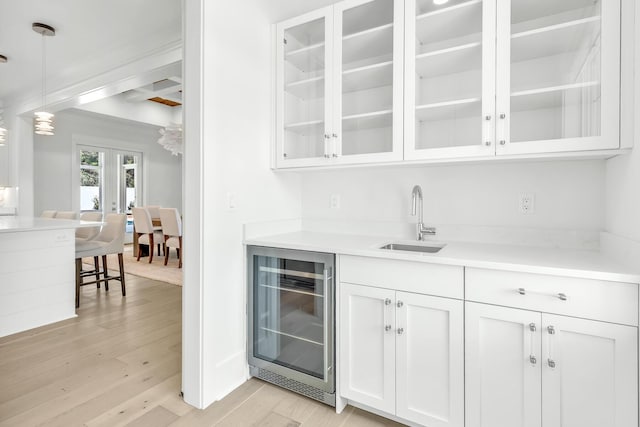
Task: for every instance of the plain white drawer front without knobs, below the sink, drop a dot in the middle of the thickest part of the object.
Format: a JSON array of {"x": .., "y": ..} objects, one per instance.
[{"x": 418, "y": 277}]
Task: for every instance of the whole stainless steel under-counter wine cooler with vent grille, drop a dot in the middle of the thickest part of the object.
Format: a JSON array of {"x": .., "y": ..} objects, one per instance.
[{"x": 292, "y": 320}]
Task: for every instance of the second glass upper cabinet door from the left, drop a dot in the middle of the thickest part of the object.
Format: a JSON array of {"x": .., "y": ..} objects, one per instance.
[{"x": 368, "y": 81}]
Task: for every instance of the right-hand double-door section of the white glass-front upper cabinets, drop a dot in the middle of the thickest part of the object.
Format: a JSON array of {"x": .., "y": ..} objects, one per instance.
[{"x": 511, "y": 77}]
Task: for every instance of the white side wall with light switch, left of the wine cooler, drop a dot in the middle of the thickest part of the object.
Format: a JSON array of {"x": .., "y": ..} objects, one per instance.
[{"x": 232, "y": 80}]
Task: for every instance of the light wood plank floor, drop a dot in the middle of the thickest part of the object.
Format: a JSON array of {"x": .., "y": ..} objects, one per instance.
[{"x": 118, "y": 364}]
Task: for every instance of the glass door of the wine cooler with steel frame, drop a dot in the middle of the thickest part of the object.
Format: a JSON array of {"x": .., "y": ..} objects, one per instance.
[{"x": 293, "y": 315}]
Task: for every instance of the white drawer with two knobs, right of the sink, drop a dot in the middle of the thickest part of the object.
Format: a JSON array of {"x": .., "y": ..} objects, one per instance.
[{"x": 592, "y": 299}]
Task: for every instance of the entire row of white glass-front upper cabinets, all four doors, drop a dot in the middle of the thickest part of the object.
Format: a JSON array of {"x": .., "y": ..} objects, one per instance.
[{"x": 367, "y": 81}]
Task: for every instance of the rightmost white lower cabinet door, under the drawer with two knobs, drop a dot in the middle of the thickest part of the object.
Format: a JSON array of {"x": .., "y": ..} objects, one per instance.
[{"x": 589, "y": 373}]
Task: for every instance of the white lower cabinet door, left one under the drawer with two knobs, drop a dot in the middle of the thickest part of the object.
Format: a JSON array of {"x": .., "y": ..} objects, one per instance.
[{"x": 502, "y": 366}]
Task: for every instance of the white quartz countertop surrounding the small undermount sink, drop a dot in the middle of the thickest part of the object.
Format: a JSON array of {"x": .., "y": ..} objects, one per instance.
[{"x": 564, "y": 262}]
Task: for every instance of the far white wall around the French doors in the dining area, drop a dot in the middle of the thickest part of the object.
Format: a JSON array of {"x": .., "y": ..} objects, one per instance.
[{"x": 53, "y": 184}]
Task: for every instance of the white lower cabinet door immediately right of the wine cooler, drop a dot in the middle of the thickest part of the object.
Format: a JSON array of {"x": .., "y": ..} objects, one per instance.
[{"x": 367, "y": 341}]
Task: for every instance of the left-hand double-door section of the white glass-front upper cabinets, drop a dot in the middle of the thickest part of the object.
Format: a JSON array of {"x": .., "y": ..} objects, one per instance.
[{"x": 339, "y": 85}]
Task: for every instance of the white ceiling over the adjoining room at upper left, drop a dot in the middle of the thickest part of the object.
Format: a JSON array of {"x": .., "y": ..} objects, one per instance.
[{"x": 92, "y": 37}]
